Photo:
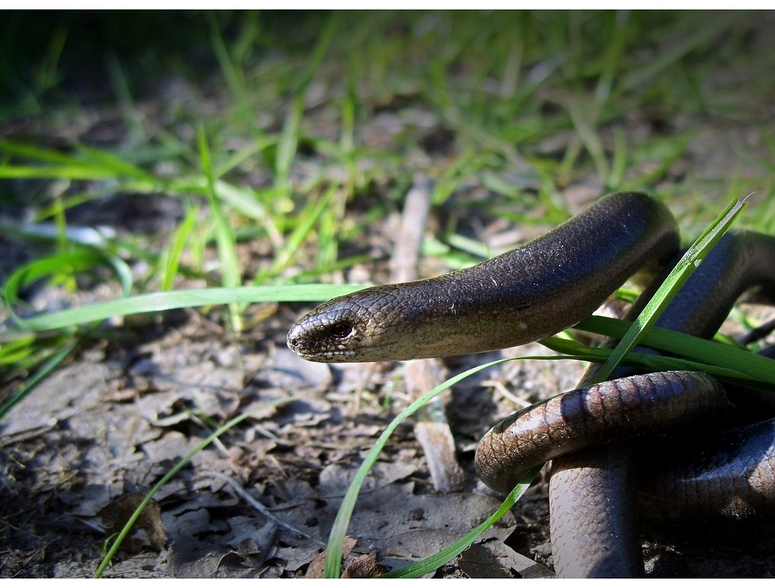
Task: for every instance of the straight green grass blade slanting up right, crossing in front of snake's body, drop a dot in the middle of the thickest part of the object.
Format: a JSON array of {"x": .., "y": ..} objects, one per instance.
[{"x": 677, "y": 277}]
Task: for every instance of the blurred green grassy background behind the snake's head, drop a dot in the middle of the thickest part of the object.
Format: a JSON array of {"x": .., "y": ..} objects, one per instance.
[{"x": 268, "y": 148}]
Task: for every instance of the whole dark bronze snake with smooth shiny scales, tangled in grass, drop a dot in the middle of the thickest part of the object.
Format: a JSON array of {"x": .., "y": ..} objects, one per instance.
[{"x": 546, "y": 286}]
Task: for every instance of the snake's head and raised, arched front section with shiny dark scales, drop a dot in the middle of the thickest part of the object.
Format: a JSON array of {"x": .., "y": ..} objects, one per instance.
[{"x": 545, "y": 286}]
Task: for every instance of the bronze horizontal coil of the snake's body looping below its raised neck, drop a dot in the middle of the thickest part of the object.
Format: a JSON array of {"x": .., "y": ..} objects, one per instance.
[{"x": 614, "y": 410}]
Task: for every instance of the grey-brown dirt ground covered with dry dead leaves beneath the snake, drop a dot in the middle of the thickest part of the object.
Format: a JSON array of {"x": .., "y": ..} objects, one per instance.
[{"x": 80, "y": 451}]
